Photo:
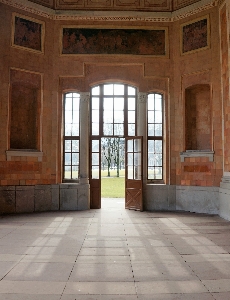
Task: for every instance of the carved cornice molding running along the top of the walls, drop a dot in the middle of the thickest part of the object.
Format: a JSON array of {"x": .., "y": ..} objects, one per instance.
[{"x": 120, "y": 16}]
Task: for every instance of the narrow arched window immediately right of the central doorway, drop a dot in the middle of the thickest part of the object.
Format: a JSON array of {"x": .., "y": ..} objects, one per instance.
[{"x": 155, "y": 136}]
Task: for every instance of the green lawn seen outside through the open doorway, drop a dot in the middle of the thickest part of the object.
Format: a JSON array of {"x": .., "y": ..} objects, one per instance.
[{"x": 112, "y": 187}]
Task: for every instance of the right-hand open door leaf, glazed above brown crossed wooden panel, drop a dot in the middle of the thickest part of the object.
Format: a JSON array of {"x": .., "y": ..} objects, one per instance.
[{"x": 133, "y": 173}]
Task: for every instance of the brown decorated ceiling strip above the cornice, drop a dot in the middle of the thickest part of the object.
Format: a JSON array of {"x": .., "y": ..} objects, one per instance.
[{"x": 117, "y": 5}]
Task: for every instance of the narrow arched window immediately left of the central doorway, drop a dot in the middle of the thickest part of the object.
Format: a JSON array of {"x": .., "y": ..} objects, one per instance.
[{"x": 71, "y": 136}]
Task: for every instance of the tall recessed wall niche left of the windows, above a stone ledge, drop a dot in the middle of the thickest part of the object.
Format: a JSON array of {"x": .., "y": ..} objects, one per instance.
[{"x": 25, "y": 107}]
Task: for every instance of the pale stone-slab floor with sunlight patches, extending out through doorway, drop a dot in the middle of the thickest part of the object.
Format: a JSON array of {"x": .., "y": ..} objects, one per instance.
[{"x": 114, "y": 253}]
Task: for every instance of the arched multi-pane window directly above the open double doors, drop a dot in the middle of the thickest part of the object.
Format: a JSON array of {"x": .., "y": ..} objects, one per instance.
[{"x": 115, "y": 106}]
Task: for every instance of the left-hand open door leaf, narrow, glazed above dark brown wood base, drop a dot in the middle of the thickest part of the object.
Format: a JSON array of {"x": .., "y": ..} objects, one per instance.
[{"x": 95, "y": 174}]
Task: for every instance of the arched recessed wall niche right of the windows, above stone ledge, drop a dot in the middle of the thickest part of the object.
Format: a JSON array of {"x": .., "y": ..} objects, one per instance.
[{"x": 198, "y": 118}]
